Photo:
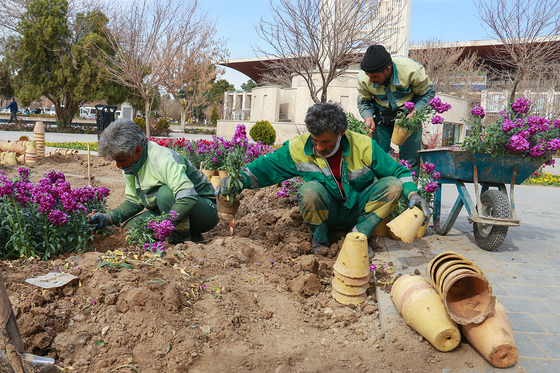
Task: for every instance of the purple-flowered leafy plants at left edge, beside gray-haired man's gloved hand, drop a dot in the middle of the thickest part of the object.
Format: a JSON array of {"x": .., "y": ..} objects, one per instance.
[{"x": 47, "y": 218}]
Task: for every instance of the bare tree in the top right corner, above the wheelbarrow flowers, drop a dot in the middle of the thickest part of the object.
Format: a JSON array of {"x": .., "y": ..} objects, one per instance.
[{"x": 528, "y": 30}]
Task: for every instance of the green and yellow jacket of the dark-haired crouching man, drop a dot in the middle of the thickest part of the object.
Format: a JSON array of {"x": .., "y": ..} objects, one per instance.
[{"x": 362, "y": 162}]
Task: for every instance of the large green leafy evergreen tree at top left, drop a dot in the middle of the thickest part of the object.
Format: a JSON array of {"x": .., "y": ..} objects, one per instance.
[{"x": 50, "y": 58}]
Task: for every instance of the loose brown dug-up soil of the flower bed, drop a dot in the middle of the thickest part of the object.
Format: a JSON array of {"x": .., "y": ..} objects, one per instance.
[{"x": 254, "y": 301}]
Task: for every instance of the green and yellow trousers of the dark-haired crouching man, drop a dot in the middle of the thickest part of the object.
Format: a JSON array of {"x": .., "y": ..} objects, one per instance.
[{"x": 321, "y": 211}]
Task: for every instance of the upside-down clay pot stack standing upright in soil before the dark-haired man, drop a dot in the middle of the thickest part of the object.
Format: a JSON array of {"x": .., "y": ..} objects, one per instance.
[{"x": 351, "y": 270}]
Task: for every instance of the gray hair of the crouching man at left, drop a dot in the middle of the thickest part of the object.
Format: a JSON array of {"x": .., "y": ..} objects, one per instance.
[{"x": 121, "y": 138}]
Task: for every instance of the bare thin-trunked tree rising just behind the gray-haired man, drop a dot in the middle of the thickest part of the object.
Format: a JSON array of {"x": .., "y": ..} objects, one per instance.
[{"x": 140, "y": 39}]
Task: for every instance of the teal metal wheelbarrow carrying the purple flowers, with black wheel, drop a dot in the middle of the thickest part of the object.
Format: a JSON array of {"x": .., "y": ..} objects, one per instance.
[{"x": 494, "y": 211}]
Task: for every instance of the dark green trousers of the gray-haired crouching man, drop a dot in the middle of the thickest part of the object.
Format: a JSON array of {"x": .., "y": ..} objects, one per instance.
[{"x": 202, "y": 218}]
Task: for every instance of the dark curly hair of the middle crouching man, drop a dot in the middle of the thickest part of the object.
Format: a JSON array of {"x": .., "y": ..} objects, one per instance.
[{"x": 326, "y": 117}]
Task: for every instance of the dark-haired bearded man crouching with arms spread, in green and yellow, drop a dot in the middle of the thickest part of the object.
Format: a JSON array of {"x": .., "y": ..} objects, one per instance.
[{"x": 350, "y": 182}]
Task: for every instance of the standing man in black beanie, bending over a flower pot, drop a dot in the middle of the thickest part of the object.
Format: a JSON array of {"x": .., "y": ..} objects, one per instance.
[{"x": 384, "y": 85}]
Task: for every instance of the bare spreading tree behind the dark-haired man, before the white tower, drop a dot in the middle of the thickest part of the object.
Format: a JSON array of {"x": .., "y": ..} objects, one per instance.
[{"x": 319, "y": 39}]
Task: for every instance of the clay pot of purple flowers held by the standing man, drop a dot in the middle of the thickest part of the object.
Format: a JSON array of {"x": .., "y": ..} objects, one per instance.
[{"x": 405, "y": 126}]
